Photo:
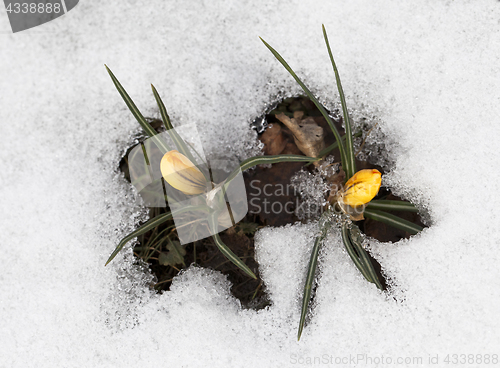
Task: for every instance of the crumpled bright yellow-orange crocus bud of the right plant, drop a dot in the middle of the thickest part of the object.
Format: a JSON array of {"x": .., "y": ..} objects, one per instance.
[{"x": 362, "y": 187}]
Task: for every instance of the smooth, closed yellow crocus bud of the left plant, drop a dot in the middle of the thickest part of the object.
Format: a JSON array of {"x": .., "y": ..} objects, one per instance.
[{"x": 182, "y": 174}]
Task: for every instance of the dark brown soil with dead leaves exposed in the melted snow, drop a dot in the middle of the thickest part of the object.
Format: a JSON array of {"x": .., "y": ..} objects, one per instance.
[{"x": 272, "y": 201}]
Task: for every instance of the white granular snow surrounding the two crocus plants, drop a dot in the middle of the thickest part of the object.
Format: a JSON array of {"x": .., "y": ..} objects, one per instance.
[{"x": 426, "y": 71}]
